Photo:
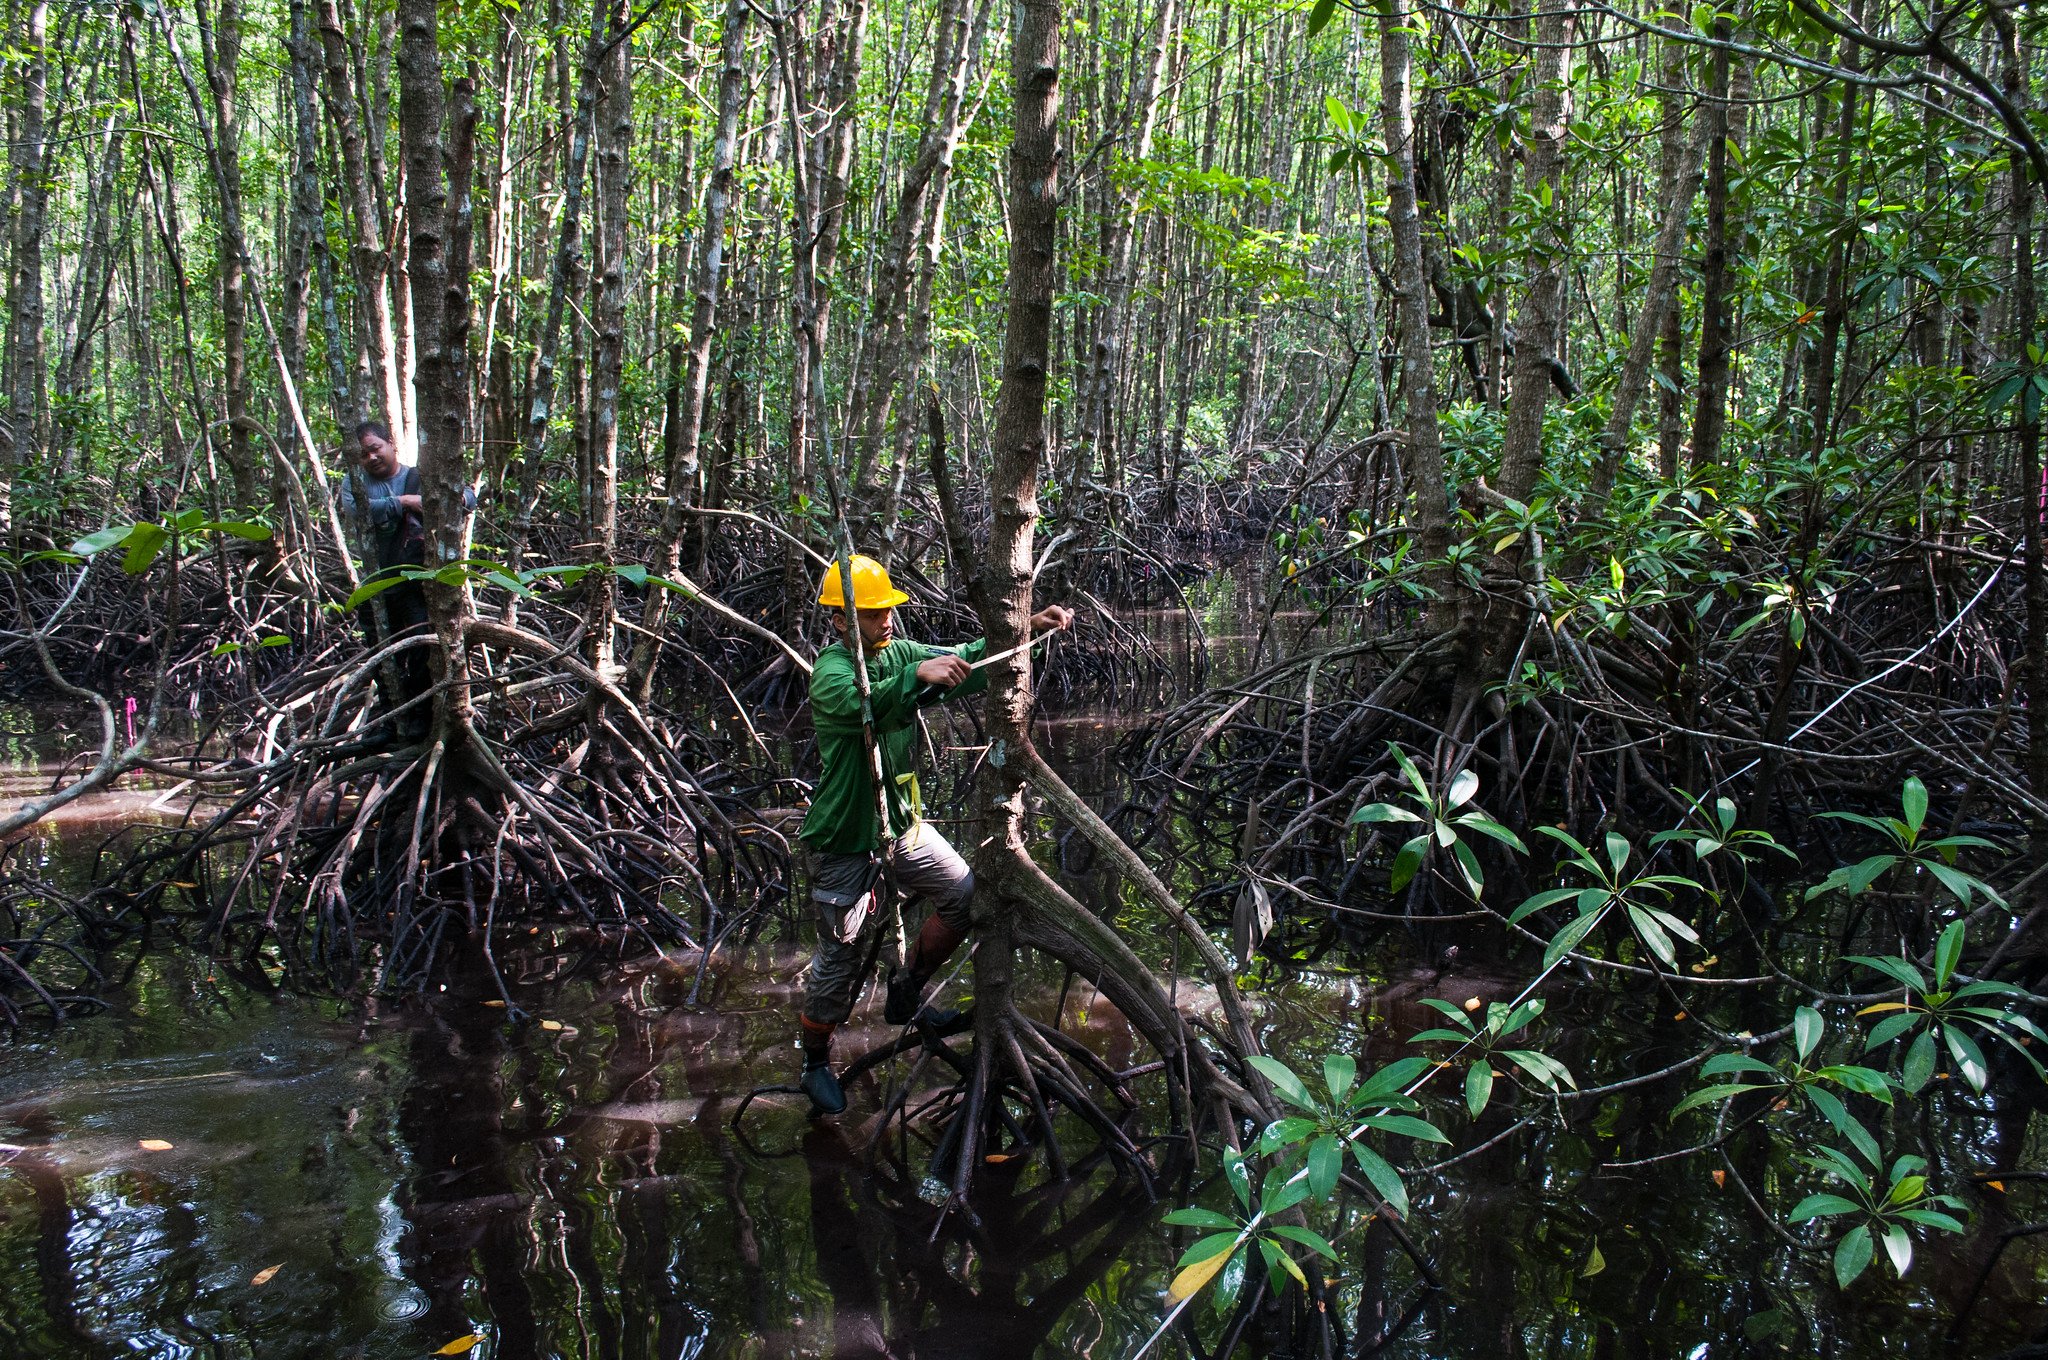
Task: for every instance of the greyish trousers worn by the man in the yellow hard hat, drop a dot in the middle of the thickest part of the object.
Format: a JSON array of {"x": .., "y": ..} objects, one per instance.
[{"x": 849, "y": 927}]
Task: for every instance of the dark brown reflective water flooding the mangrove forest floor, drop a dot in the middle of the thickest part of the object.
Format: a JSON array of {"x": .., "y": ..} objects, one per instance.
[{"x": 345, "y": 1187}]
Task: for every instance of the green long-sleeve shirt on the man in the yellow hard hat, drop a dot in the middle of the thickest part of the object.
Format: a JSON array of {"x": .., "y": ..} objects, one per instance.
[{"x": 843, "y": 810}]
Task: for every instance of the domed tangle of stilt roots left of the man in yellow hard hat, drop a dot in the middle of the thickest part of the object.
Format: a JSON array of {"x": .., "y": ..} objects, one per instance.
[{"x": 351, "y": 847}]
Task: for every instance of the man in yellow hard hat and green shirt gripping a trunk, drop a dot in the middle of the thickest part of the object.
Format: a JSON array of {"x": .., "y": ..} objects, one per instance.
[{"x": 857, "y": 861}]
